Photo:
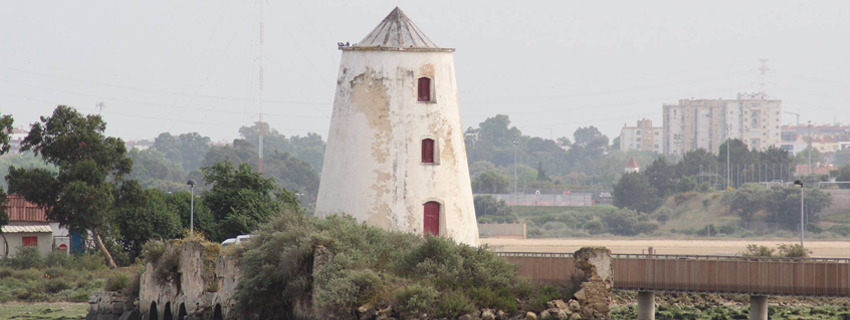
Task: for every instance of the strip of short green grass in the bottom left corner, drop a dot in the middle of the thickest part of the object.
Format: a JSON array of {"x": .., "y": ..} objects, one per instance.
[{"x": 43, "y": 310}]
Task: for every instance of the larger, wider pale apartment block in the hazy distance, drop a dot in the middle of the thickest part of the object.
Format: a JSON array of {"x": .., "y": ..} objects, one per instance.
[{"x": 707, "y": 123}]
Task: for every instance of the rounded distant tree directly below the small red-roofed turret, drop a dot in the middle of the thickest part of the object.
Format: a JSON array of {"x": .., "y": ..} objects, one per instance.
[{"x": 633, "y": 191}]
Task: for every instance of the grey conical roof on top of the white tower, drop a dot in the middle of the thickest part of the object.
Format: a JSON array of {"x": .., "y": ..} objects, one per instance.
[{"x": 397, "y": 32}]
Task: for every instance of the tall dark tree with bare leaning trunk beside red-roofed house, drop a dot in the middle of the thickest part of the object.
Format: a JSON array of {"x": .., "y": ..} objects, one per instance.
[{"x": 91, "y": 165}]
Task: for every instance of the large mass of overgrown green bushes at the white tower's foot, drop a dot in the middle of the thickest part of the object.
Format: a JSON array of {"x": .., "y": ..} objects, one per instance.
[{"x": 370, "y": 266}]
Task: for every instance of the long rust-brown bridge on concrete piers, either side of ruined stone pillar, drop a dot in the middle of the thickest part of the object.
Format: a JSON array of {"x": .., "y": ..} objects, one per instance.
[{"x": 652, "y": 273}]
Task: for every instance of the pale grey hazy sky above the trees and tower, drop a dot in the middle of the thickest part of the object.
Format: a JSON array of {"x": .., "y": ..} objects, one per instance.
[{"x": 552, "y": 66}]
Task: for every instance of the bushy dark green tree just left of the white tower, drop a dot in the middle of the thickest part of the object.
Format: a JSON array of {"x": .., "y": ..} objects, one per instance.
[{"x": 240, "y": 199}]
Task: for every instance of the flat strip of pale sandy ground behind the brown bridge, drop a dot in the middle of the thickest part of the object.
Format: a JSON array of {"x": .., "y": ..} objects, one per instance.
[{"x": 832, "y": 249}]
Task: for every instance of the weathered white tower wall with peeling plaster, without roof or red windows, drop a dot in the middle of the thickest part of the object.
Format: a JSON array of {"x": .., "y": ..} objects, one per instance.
[{"x": 372, "y": 168}]
